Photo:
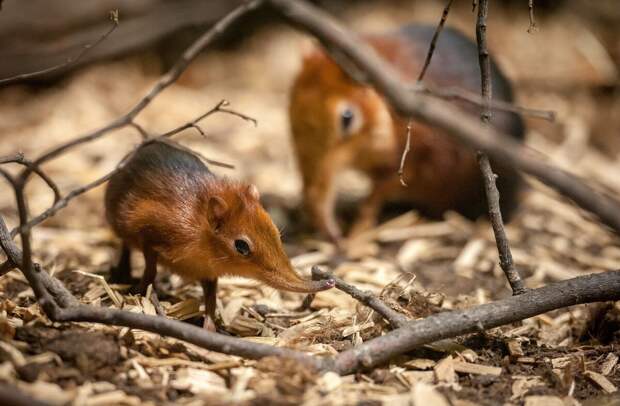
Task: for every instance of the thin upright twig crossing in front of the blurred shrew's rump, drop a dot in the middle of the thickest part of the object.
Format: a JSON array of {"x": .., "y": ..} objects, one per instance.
[{"x": 492, "y": 194}]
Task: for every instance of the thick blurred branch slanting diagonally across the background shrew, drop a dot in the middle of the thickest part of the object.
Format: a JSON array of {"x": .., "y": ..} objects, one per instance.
[{"x": 443, "y": 115}]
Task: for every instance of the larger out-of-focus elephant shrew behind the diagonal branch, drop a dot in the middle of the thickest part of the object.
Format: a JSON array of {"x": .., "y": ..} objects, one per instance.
[{"x": 338, "y": 123}]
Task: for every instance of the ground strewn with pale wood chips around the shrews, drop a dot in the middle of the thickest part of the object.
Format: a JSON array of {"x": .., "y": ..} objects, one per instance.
[{"x": 418, "y": 266}]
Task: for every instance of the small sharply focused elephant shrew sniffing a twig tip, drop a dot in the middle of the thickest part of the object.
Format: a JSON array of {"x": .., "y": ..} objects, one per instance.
[{"x": 166, "y": 203}]
